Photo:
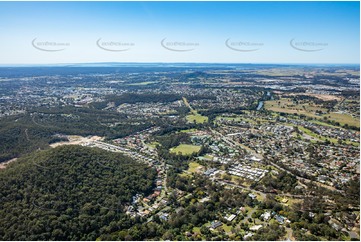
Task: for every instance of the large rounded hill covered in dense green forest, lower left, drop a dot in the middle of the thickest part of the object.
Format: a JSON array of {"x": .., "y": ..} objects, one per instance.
[{"x": 69, "y": 193}]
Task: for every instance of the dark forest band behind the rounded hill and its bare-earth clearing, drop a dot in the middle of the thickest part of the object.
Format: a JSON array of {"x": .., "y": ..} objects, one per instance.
[{"x": 24, "y": 133}]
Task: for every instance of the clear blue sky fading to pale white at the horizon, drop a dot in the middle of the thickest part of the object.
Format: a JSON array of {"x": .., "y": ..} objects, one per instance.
[{"x": 205, "y": 32}]
